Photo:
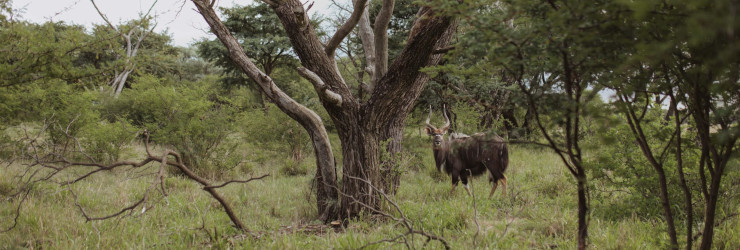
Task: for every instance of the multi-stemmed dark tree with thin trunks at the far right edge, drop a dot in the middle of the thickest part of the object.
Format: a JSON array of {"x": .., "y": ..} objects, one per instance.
[{"x": 694, "y": 64}]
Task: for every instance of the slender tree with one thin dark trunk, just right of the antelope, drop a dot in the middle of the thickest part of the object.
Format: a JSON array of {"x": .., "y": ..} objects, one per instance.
[{"x": 555, "y": 53}]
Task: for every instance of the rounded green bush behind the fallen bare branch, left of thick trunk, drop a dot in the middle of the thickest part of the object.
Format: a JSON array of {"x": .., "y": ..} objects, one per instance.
[{"x": 196, "y": 119}]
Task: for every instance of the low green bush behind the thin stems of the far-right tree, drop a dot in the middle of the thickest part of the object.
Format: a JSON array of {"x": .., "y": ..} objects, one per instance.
[{"x": 625, "y": 182}]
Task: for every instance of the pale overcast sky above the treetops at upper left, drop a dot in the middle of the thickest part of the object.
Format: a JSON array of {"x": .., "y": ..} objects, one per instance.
[{"x": 178, "y": 17}]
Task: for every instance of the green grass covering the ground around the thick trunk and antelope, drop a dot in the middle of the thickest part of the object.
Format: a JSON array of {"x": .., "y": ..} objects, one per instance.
[{"x": 539, "y": 212}]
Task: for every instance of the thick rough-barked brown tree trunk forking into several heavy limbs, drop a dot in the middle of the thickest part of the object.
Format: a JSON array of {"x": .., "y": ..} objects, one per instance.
[{"x": 361, "y": 124}]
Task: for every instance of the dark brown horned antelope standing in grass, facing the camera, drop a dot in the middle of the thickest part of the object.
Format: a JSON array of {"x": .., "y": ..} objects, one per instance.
[{"x": 461, "y": 156}]
